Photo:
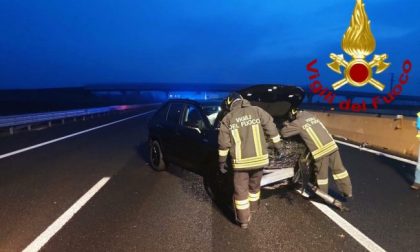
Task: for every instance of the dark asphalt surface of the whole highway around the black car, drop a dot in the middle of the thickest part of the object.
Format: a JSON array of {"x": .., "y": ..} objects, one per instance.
[{"x": 139, "y": 209}]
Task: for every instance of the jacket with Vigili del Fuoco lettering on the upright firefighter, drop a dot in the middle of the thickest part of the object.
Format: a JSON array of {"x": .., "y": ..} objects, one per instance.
[{"x": 242, "y": 134}]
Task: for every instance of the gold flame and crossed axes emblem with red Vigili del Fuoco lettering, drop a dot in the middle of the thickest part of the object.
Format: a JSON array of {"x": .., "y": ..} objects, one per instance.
[{"x": 358, "y": 42}]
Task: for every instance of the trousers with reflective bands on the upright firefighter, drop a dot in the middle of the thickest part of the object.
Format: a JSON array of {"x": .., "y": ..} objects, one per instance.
[{"x": 246, "y": 194}]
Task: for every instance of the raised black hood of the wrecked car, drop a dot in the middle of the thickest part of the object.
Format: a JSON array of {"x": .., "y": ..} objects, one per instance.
[{"x": 275, "y": 99}]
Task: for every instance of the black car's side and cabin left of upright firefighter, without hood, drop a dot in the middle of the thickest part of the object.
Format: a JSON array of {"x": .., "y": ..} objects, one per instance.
[{"x": 181, "y": 132}]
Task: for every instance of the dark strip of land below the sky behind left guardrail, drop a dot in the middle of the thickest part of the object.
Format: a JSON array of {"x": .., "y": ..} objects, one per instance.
[{"x": 44, "y": 100}]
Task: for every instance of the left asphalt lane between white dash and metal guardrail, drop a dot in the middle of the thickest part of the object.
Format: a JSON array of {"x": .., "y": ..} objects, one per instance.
[{"x": 39, "y": 185}]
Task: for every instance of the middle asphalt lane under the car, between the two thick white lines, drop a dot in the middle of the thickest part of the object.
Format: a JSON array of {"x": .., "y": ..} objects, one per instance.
[{"x": 141, "y": 210}]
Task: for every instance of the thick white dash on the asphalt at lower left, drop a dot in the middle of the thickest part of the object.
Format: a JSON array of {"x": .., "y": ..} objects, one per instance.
[{"x": 43, "y": 238}]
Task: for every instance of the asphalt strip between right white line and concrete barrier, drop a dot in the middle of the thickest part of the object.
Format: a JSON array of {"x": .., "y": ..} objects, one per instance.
[{"x": 384, "y": 207}]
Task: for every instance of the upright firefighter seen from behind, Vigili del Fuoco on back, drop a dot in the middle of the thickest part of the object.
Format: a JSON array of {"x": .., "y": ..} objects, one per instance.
[{"x": 242, "y": 135}]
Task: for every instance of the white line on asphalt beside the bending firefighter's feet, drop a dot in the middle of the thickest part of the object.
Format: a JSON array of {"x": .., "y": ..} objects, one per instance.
[{"x": 349, "y": 228}]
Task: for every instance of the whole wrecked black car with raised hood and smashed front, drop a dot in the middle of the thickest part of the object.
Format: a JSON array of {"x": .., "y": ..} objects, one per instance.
[{"x": 184, "y": 132}]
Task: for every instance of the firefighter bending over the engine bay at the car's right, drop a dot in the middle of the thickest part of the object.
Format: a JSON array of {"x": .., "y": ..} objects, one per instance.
[{"x": 323, "y": 148}]
